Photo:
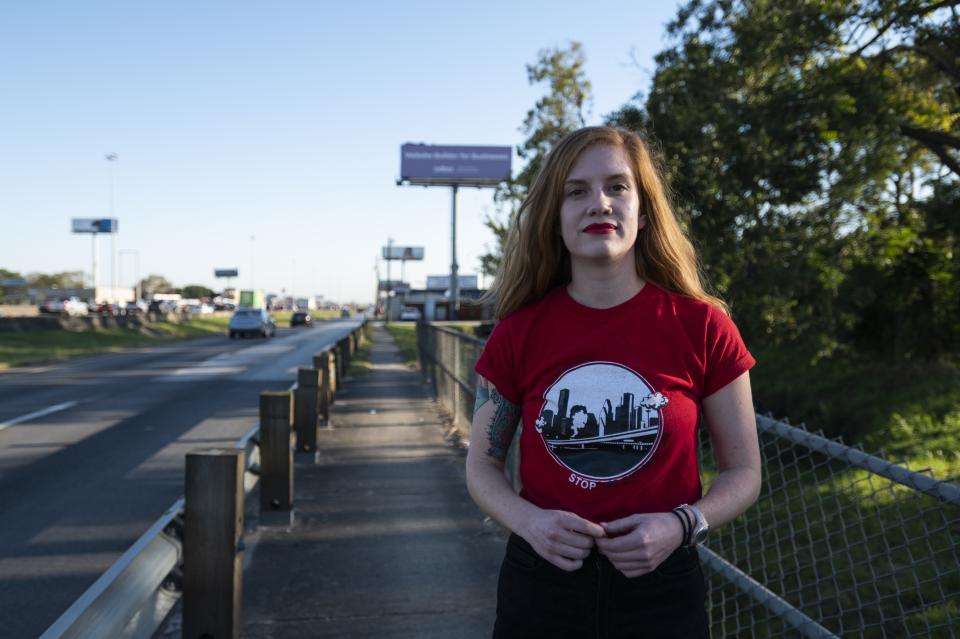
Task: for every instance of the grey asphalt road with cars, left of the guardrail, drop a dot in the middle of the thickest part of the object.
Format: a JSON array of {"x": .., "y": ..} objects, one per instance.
[{"x": 92, "y": 452}]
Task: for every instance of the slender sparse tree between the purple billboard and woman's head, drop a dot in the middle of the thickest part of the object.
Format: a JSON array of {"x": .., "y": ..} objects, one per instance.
[{"x": 559, "y": 111}]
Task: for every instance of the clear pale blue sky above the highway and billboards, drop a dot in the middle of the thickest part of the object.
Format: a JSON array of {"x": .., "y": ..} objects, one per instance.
[{"x": 277, "y": 120}]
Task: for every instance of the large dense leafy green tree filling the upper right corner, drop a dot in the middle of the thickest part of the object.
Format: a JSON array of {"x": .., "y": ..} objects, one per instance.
[{"x": 812, "y": 147}]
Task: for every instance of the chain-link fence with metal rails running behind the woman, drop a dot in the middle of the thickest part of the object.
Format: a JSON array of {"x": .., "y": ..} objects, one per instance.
[{"x": 839, "y": 544}]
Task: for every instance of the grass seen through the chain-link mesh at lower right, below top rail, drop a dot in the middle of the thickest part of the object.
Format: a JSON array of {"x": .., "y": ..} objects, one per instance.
[{"x": 840, "y": 543}]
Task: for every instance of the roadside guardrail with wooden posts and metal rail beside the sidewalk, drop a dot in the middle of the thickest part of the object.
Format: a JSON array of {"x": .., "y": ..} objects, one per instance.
[{"x": 134, "y": 596}]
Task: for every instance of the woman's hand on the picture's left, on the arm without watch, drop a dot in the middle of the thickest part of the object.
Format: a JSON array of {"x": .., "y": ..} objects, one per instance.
[{"x": 560, "y": 537}]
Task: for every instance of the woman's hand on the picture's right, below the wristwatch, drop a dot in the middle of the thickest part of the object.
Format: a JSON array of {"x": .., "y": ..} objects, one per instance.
[{"x": 637, "y": 544}]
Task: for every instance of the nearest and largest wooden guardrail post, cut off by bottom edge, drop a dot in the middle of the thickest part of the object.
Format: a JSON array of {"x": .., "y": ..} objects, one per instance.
[{"x": 213, "y": 524}]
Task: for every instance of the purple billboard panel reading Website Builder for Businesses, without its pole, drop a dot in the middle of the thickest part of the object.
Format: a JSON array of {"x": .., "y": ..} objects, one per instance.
[{"x": 449, "y": 165}]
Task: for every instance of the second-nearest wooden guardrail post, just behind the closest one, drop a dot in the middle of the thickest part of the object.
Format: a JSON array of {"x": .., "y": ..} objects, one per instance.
[{"x": 276, "y": 455}]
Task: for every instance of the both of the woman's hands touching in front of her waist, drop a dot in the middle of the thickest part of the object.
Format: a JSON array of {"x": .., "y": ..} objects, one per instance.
[{"x": 635, "y": 545}]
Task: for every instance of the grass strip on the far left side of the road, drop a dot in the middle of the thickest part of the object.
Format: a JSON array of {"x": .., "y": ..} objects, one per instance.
[{"x": 34, "y": 347}]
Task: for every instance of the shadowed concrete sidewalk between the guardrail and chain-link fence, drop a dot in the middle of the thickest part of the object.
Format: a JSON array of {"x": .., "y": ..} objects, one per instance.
[{"x": 386, "y": 541}]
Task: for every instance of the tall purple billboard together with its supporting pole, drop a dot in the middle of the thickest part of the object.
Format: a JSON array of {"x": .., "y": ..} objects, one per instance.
[{"x": 454, "y": 166}]
